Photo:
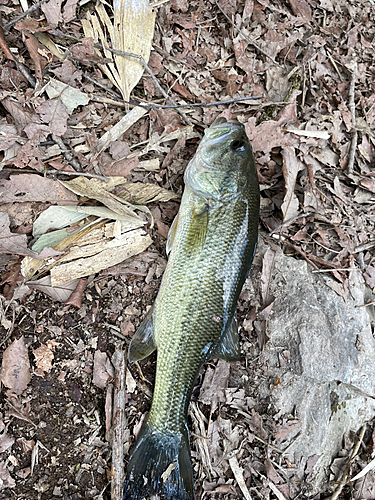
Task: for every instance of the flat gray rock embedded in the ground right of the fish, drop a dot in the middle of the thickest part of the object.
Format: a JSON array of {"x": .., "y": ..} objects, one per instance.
[{"x": 322, "y": 349}]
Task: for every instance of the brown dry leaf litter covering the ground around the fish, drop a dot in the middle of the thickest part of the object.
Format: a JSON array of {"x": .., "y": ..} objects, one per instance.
[{"x": 96, "y": 242}]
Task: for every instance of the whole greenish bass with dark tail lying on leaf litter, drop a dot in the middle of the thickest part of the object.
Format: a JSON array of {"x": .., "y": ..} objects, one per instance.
[{"x": 211, "y": 245}]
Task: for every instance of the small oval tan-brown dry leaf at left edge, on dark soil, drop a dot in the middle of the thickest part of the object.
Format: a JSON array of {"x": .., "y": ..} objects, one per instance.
[{"x": 15, "y": 368}]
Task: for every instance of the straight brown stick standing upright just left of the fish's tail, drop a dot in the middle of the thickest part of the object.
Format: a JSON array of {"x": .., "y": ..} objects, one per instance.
[{"x": 118, "y": 425}]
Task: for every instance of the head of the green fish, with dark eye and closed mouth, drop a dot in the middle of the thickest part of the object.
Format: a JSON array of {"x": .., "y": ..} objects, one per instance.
[{"x": 224, "y": 164}]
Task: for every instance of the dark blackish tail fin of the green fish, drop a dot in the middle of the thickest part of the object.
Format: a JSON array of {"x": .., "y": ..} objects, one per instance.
[{"x": 160, "y": 463}]
